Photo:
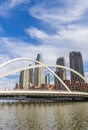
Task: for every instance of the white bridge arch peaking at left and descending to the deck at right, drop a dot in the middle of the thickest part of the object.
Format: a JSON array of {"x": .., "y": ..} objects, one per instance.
[{"x": 43, "y": 65}]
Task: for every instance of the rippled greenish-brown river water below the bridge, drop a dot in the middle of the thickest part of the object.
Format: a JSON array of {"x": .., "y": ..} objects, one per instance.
[{"x": 43, "y": 116}]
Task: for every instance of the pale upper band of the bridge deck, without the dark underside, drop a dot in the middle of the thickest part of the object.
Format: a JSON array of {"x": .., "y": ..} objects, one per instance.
[{"x": 42, "y": 93}]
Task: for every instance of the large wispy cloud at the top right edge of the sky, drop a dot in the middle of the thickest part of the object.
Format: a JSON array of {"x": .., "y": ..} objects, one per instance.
[{"x": 55, "y": 14}]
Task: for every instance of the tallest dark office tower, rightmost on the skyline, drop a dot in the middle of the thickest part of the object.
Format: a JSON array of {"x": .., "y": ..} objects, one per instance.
[{"x": 76, "y": 63}]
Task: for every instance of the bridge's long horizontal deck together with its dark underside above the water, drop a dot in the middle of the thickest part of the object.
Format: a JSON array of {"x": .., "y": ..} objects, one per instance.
[{"x": 43, "y": 95}]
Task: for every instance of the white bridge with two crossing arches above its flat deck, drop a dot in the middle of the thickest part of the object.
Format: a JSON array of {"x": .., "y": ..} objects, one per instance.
[{"x": 50, "y": 94}]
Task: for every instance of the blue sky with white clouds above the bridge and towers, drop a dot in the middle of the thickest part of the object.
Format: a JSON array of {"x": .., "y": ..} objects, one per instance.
[{"x": 51, "y": 27}]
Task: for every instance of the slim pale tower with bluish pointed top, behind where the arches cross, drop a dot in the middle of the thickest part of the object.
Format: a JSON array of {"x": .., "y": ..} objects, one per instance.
[{"x": 39, "y": 72}]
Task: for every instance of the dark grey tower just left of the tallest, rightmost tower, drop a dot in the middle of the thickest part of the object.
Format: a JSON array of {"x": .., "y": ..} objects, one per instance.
[{"x": 60, "y": 72}]
